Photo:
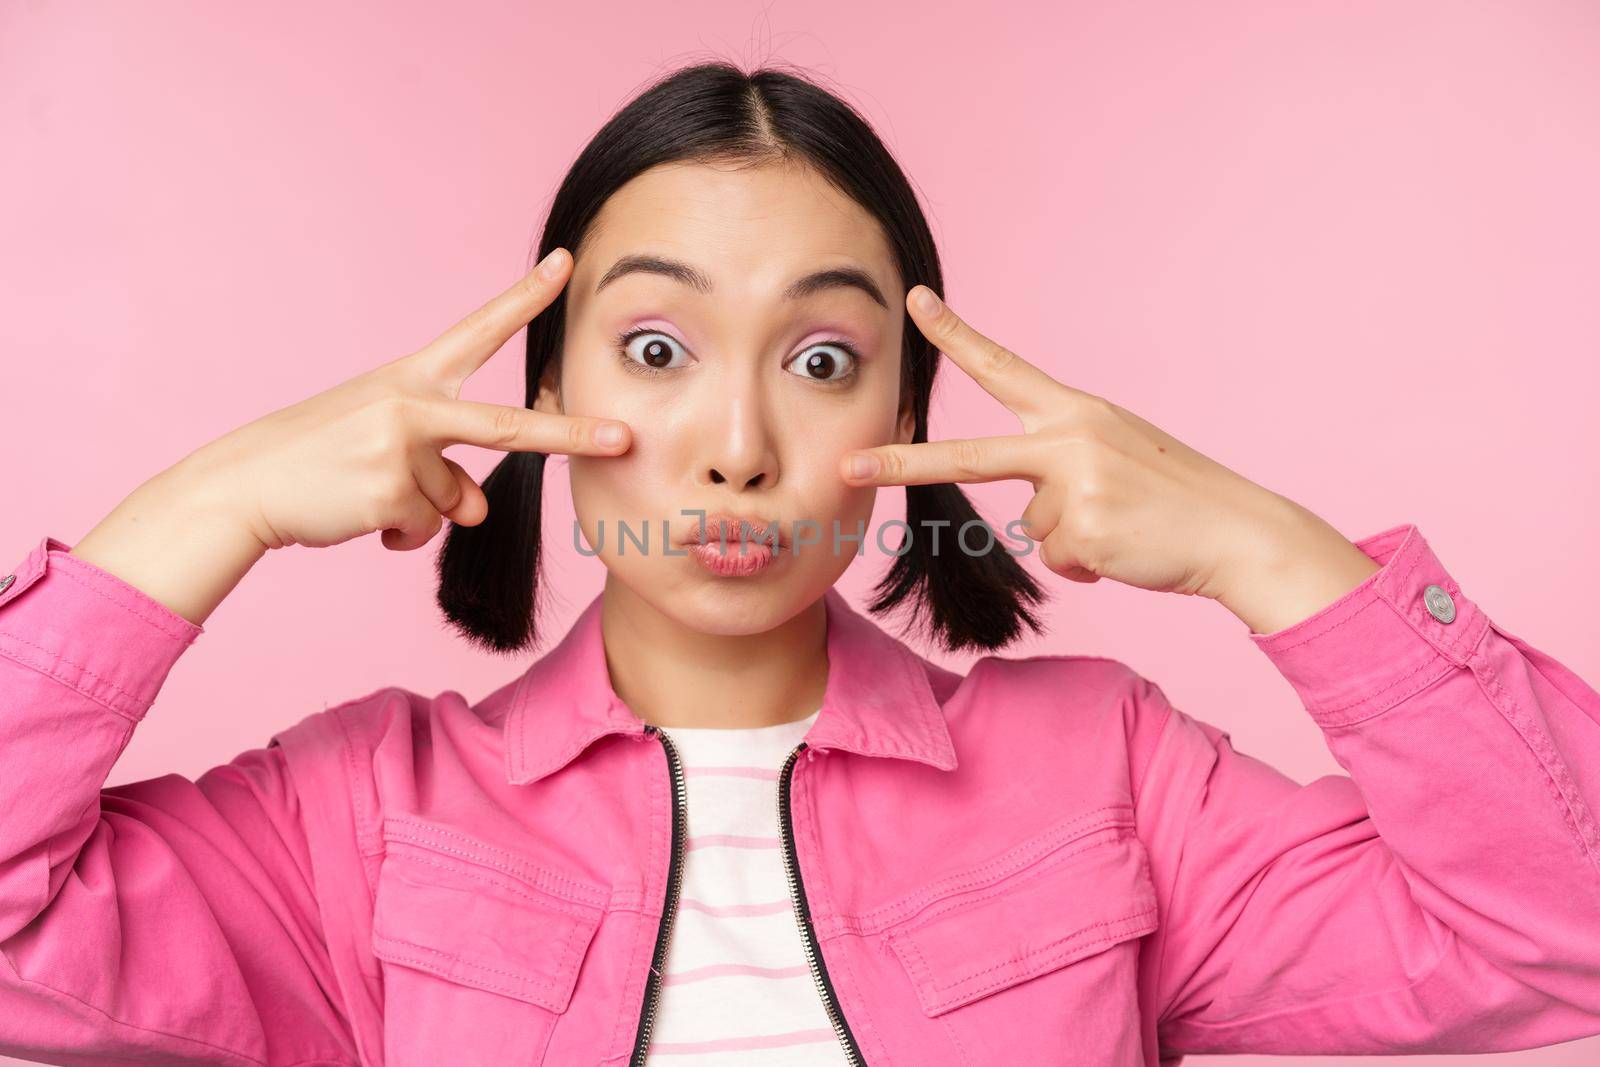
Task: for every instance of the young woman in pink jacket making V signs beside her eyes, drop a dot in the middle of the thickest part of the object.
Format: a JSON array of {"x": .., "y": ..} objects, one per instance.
[{"x": 727, "y": 818}]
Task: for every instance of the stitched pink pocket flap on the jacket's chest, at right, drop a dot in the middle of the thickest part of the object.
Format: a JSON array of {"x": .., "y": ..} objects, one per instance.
[{"x": 1065, "y": 908}]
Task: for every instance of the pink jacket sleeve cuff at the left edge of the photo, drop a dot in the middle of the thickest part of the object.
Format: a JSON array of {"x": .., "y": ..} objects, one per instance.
[{"x": 89, "y": 629}]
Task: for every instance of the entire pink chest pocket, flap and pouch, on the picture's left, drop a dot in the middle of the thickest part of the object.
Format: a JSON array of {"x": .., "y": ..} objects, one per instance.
[{"x": 479, "y": 948}]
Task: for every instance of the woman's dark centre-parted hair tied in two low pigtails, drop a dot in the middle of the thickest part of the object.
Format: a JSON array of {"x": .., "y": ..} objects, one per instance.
[{"x": 714, "y": 113}]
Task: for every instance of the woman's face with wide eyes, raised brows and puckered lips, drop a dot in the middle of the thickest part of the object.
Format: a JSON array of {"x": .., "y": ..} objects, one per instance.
[{"x": 743, "y": 396}]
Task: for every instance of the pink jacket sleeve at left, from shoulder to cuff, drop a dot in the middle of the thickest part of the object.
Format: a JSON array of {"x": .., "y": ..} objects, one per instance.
[{"x": 169, "y": 921}]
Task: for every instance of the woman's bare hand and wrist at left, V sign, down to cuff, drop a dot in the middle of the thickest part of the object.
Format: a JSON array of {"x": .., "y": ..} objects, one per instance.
[{"x": 361, "y": 457}]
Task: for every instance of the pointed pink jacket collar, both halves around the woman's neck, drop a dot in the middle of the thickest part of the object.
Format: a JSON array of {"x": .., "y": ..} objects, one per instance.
[{"x": 878, "y": 700}]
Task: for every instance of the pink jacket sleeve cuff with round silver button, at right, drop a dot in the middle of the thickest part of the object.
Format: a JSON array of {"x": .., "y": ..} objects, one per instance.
[{"x": 1385, "y": 641}]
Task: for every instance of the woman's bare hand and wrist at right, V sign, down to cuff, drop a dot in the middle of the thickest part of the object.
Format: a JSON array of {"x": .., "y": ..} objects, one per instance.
[{"x": 1116, "y": 497}]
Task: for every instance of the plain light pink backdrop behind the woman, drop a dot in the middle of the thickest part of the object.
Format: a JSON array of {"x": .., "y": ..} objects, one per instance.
[{"x": 1350, "y": 250}]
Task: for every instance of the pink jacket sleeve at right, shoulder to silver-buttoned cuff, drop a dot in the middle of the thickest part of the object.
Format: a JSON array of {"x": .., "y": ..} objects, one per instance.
[{"x": 1441, "y": 898}]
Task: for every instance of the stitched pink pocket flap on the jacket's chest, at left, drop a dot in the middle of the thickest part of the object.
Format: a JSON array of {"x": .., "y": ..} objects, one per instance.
[{"x": 479, "y": 929}]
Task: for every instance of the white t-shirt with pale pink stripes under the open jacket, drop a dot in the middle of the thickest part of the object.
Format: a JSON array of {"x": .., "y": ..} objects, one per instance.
[{"x": 737, "y": 986}]
